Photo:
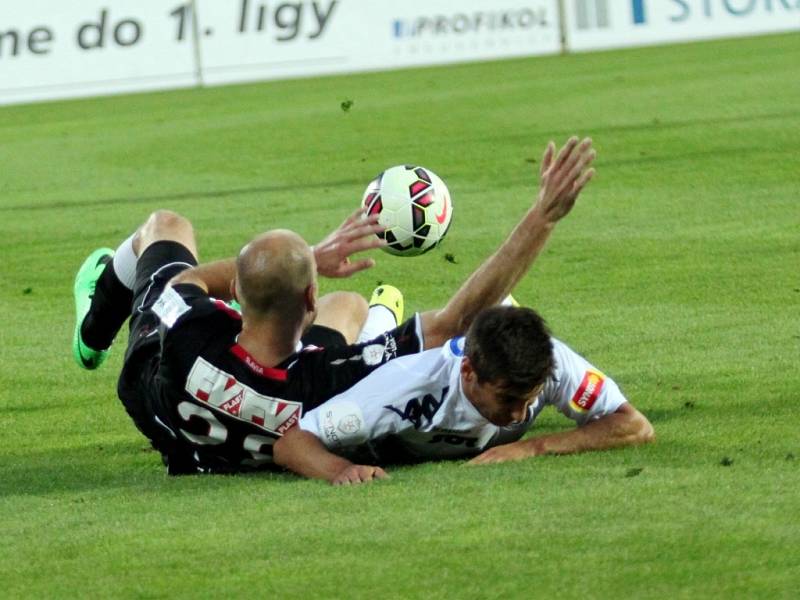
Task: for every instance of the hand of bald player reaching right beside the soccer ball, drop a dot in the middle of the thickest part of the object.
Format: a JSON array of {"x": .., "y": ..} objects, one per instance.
[{"x": 356, "y": 234}]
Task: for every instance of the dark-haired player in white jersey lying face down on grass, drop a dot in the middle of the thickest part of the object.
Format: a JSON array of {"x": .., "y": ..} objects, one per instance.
[{"x": 458, "y": 402}]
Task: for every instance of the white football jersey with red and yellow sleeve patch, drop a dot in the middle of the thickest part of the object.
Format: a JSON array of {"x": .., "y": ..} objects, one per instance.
[{"x": 416, "y": 402}]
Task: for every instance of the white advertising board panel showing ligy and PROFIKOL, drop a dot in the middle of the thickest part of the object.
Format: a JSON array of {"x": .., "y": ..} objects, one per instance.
[{"x": 257, "y": 39}]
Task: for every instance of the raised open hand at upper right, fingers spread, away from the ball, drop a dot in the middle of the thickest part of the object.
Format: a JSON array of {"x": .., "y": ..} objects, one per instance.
[{"x": 563, "y": 176}]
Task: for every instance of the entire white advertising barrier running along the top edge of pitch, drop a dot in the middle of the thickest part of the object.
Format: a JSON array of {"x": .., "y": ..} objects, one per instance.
[{"x": 60, "y": 48}]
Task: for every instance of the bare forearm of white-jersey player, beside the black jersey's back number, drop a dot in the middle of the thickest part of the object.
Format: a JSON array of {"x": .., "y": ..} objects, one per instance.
[{"x": 303, "y": 453}]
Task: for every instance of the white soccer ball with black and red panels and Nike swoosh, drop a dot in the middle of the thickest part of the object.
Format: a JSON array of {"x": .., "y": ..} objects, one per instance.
[{"x": 414, "y": 206}]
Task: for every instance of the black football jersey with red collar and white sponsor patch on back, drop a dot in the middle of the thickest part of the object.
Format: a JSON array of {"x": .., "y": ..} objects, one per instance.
[{"x": 224, "y": 410}]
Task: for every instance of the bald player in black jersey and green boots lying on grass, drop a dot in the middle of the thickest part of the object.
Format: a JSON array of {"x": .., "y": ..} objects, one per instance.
[{"x": 213, "y": 389}]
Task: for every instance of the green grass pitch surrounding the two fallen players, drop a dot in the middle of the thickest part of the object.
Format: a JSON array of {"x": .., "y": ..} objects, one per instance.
[{"x": 678, "y": 274}]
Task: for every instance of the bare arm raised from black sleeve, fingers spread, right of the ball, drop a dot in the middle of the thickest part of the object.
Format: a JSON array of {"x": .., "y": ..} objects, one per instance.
[{"x": 563, "y": 176}]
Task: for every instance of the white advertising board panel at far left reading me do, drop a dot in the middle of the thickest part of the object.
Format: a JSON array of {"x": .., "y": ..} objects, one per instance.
[{"x": 55, "y": 49}]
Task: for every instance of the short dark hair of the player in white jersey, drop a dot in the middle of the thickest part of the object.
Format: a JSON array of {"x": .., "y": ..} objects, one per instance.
[{"x": 511, "y": 347}]
